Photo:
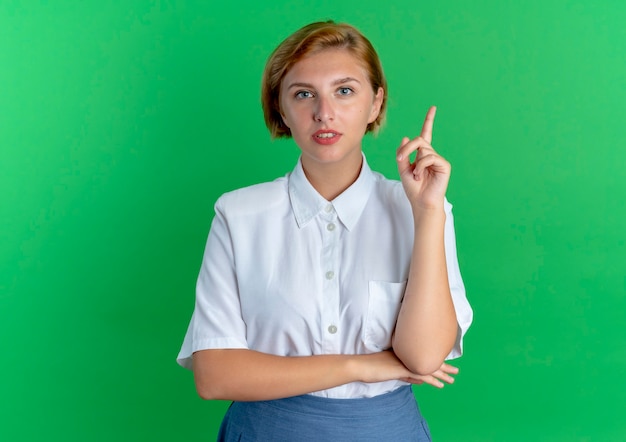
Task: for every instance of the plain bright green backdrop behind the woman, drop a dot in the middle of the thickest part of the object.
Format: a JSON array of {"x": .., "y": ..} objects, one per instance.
[{"x": 121, "y": 122}]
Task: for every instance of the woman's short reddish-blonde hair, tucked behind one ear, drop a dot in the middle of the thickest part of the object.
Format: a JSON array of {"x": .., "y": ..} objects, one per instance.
[{"x": 308, "y": 40}]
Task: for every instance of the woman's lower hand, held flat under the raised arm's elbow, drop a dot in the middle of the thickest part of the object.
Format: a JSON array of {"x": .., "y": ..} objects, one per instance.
[{"x": 384, "y": 366}]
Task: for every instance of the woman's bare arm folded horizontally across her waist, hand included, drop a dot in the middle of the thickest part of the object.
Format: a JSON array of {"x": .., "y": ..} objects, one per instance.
[{"x": 247, "y": 375}]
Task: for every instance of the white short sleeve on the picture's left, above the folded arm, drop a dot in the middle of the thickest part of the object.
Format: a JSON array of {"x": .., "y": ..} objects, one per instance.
[{"x": 216, "y": 321}]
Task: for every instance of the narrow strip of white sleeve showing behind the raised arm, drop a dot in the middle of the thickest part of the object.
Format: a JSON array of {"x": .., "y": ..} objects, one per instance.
[{"x": 464, "y": 313}]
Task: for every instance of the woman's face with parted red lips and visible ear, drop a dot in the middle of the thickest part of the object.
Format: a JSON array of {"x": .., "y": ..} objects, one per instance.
[{"x": 327, "y": 101}]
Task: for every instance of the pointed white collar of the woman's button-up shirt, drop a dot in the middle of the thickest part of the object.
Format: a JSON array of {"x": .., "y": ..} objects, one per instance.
[{"x": 306, "y": 202}]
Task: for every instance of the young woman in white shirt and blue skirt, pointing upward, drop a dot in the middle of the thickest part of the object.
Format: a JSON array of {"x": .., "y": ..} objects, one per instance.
[{"x": 325, "y": 294}]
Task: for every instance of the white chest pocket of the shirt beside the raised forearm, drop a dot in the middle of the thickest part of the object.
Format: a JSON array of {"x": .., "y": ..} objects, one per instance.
[{"x": 383, "y": 306}]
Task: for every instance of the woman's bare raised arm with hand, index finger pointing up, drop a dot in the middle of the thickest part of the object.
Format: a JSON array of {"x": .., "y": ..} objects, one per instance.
[{"x": 427, "y": 327}]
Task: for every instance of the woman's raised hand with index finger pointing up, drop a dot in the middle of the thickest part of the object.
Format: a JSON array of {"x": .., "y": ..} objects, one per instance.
[{"x": 426, "y": 179}]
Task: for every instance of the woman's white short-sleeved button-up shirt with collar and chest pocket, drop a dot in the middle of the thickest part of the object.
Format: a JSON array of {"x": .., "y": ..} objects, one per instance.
[{"x": 289, "y": 273}]
